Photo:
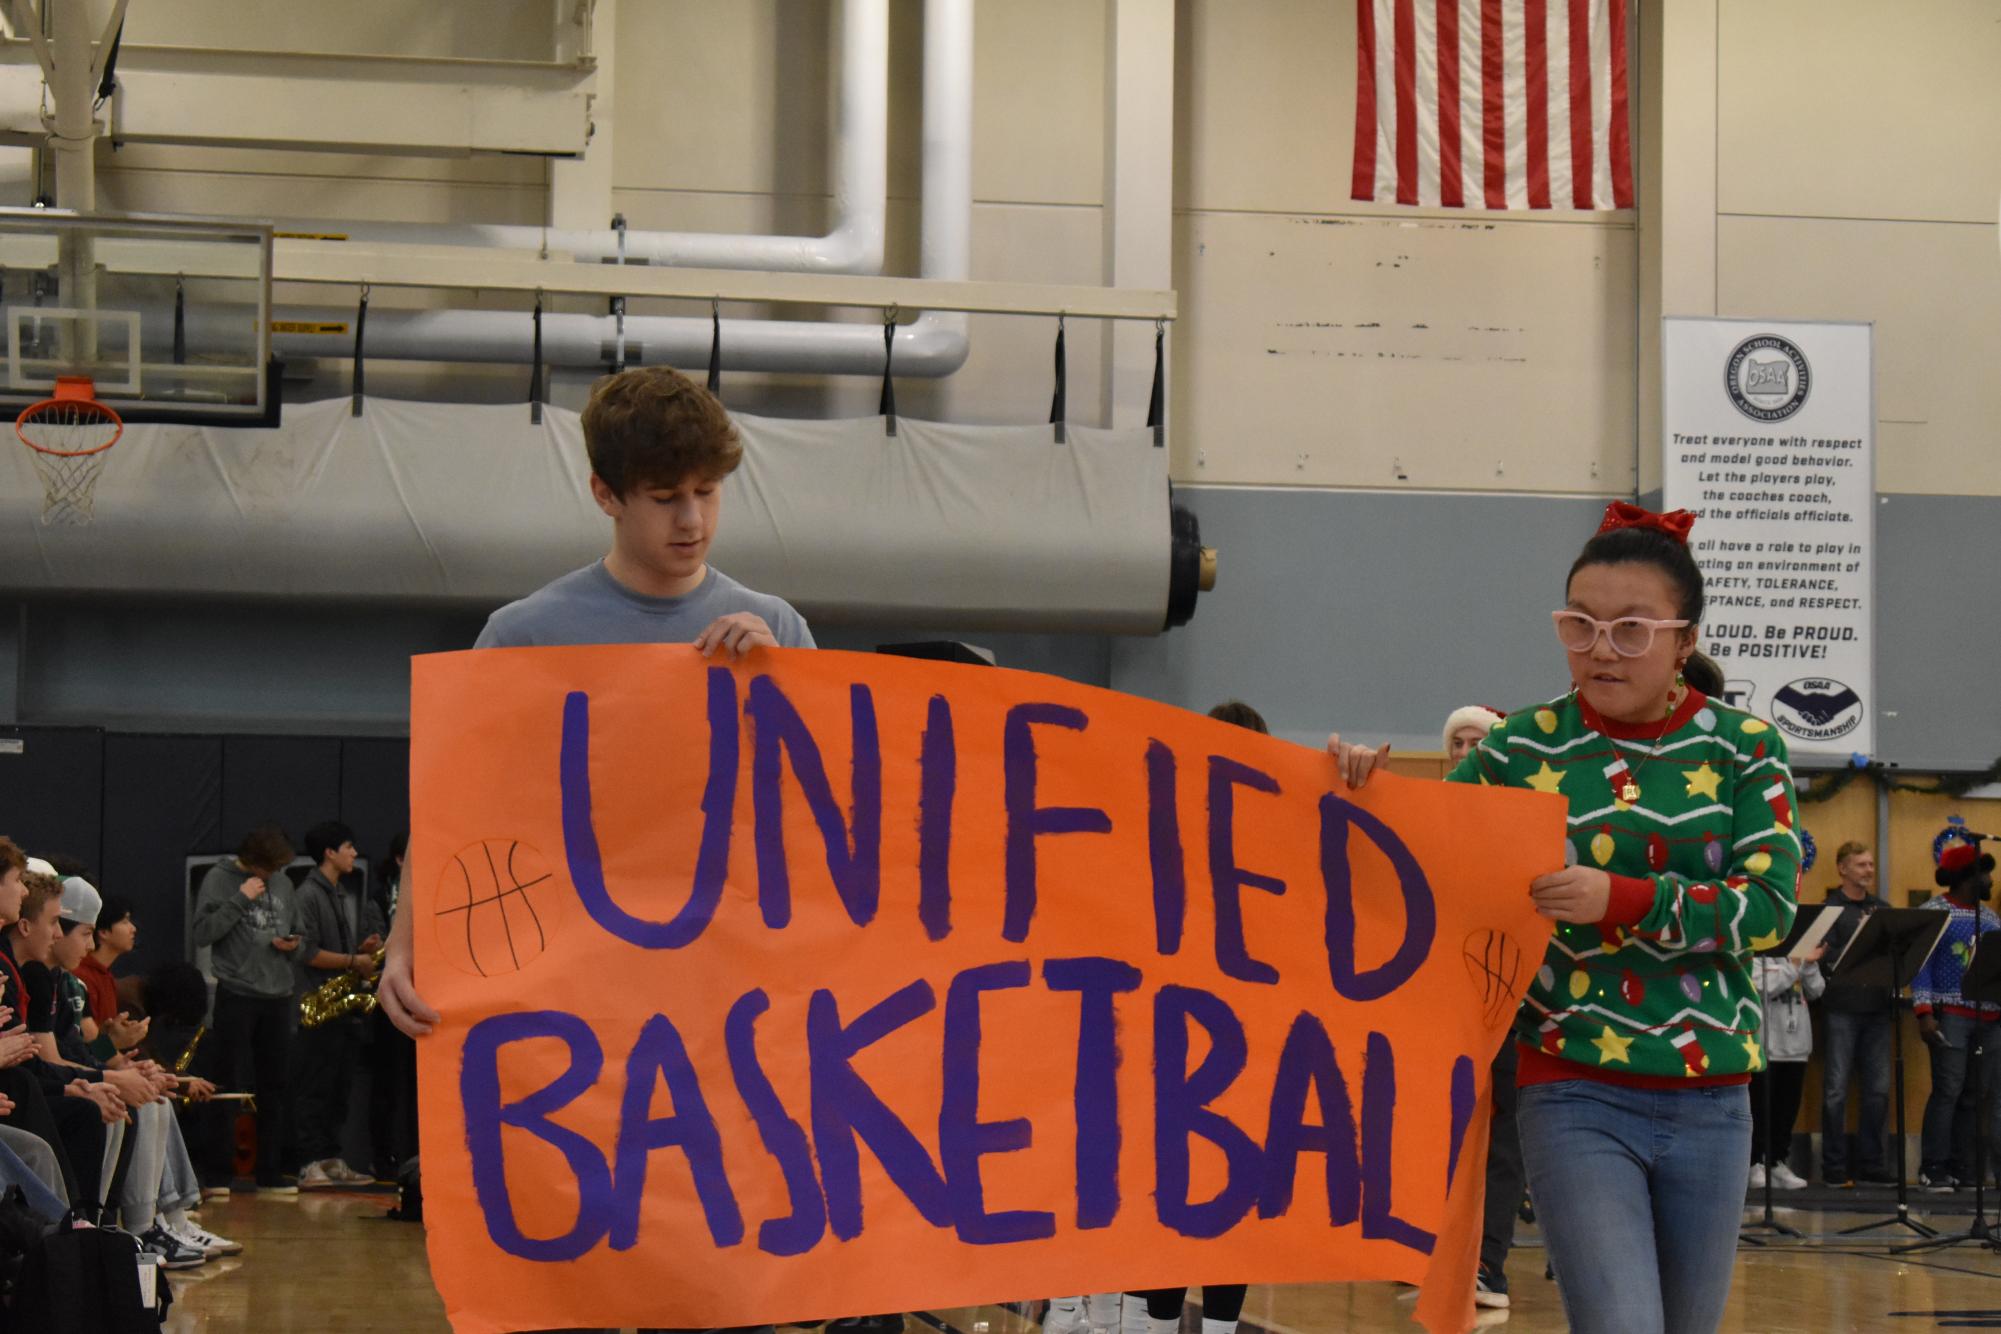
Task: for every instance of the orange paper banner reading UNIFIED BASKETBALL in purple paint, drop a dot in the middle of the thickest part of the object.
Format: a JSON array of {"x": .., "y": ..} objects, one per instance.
[{"x": 833, "y": 985}]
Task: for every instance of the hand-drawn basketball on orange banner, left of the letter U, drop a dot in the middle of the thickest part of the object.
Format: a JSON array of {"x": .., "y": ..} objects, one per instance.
[{"x": 499, "y": 907}]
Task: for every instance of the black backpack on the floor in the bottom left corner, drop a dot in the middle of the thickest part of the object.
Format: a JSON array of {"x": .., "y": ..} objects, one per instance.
[{"x": 85, "y": 1281}]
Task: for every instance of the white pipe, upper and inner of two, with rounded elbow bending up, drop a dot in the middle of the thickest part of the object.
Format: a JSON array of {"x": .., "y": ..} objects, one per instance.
[{"x": 859, "y": 171}]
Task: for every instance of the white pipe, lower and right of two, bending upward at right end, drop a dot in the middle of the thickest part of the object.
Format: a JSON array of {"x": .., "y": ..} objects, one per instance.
[{"x": 933, "y": 345}]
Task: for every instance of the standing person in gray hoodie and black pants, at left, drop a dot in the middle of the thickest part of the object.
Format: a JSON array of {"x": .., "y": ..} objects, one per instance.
[{"x": 247, "y": 917}]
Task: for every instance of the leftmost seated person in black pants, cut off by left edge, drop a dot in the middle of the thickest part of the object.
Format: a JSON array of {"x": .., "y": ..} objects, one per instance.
[{"x": 83, "y": 1121}]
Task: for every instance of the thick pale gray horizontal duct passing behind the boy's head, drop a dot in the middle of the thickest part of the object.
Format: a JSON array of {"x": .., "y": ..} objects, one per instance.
[{"x": 949, "y": 527}]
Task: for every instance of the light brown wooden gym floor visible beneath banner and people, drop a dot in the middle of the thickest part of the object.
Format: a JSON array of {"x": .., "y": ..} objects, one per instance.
[{"x": 331, "y": 1263}]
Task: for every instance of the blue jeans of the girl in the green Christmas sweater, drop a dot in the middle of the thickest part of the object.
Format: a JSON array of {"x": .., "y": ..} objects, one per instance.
[{"x": 1640, "y": 1195}]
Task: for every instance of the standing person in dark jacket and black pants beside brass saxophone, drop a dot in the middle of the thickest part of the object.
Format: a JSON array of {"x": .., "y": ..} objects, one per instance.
[{"x": 341, "y": 931}]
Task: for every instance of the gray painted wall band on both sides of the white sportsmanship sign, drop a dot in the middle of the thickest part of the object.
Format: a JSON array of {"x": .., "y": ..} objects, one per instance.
[{"x": 1382, "y": 613}]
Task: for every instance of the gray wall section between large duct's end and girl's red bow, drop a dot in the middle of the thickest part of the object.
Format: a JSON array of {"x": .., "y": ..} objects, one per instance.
[{"x": 1368, "y": 613}]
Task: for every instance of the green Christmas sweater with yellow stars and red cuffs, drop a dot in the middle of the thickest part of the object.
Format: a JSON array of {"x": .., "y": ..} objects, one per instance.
[{"x": 1704, "y": 869}]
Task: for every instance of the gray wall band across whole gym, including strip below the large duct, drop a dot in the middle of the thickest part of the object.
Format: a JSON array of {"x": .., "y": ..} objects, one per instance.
[{"x": 1364, "y": 611}]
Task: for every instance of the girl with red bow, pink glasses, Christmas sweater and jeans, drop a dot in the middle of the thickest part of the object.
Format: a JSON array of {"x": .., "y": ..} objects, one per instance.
[{"x": 1642, "y": 1029}]
